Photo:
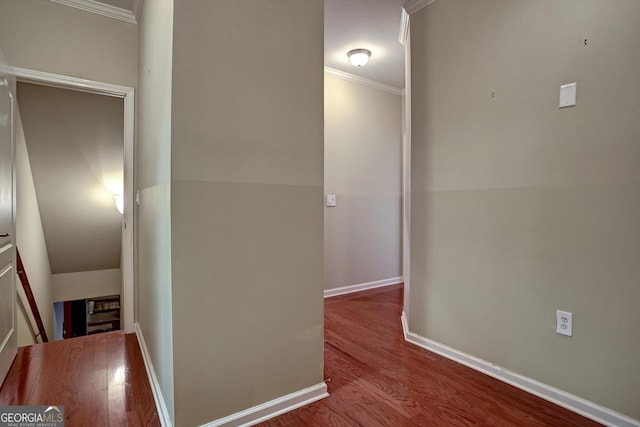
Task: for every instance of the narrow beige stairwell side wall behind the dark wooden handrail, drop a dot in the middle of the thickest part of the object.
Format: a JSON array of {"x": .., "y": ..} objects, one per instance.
[{"x": 32, "y": 246}]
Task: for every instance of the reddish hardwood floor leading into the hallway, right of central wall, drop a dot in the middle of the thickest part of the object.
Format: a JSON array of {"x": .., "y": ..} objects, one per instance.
[{"x": 377, "y": 379}]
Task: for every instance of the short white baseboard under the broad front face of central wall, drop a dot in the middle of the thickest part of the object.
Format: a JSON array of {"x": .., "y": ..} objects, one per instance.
[{"x": 273, "y": 408}]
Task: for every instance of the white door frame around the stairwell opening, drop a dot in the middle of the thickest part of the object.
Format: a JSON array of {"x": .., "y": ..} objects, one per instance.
[{"x": 127, "y": 94}]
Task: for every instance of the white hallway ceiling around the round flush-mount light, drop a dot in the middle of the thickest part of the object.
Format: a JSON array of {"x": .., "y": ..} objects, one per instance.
[{"x": 365, "y": 24}]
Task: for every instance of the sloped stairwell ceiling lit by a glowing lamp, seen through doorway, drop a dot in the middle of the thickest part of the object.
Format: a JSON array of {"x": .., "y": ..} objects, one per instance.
[{"x": 75, "y": 145}]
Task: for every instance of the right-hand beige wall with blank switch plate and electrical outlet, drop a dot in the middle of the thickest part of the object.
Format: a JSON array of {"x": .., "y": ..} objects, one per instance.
[{"x": 520, "y": 208}]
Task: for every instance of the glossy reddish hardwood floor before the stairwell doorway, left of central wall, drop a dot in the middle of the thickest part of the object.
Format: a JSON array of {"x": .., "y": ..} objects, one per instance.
[{"x": 99, "y": 379}]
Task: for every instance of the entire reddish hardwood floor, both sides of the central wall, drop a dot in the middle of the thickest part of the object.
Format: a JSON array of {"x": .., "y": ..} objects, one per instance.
[{"x": 375, "y": 379}]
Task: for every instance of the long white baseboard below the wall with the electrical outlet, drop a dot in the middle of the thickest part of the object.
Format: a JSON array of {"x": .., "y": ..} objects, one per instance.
[{"x": 562, "y": 398}]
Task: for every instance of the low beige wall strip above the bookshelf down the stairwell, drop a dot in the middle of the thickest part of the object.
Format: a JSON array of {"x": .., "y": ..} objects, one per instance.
[{"x": 87, "y": 284}]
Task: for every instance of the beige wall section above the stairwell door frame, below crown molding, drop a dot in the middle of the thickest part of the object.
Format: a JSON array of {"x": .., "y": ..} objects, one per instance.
[{"x": 47, "y": 36}]
